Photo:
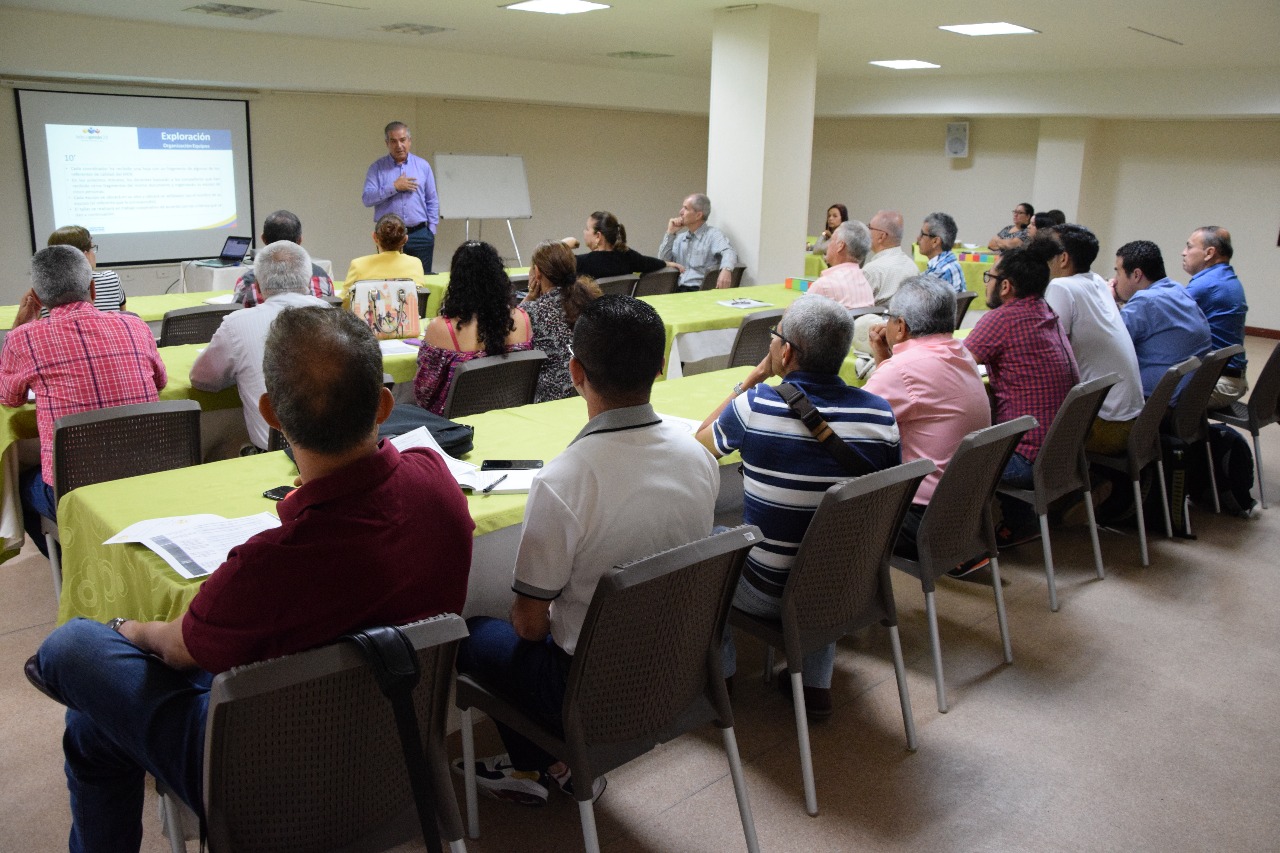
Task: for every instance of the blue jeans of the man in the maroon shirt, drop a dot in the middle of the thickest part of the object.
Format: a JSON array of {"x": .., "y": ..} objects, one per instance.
[{"x": 129, "y": 715}]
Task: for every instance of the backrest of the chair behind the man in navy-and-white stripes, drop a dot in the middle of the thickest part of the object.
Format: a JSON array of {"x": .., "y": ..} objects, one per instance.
[{"x": 840, "y": 578}]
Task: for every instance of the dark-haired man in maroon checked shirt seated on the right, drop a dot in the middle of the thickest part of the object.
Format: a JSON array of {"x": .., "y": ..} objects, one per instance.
[{"x": 1030, "y": 366}]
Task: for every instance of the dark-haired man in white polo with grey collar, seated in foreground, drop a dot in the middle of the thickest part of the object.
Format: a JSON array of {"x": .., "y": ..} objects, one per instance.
[{"x": 629, "y": 486}]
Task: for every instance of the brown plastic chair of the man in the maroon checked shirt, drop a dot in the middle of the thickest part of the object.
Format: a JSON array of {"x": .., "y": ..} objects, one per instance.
[{"x": 1062, "y": 469}]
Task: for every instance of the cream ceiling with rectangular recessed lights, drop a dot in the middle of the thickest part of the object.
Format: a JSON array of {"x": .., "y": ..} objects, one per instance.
[{"x": 1076, "y": 35}]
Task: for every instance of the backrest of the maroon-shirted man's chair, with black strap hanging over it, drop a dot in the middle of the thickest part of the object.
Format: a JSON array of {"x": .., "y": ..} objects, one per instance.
[{"x": 303, "y": 752}]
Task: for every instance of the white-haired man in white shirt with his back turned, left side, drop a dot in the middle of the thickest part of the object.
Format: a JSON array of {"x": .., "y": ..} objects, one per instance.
[{"x": 235, "y": 354}]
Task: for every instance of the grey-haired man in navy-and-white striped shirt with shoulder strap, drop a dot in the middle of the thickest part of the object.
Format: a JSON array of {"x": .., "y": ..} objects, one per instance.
[{"x": 785, "y": 471}]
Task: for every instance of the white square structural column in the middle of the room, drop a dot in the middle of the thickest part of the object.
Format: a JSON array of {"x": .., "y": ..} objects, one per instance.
[{"x": 765, "y": 63}]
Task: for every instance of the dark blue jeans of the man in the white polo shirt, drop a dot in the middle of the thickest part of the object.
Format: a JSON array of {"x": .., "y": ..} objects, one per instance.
[{"x": 531, "y": 676}]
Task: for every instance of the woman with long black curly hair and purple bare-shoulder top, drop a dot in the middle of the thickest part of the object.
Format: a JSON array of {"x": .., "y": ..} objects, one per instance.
[{"x": 477, "y": 320}]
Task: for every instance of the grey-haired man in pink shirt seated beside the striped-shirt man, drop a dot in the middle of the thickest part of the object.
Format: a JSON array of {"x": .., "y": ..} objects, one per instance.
[{"x": 931, "y": 382}]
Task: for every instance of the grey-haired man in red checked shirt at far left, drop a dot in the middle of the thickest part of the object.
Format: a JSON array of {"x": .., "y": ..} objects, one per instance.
[{"x": 75, "y": 361}]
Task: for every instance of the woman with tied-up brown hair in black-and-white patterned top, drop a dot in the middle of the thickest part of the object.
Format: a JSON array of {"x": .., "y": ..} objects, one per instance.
[{"x": 557, "y": 295}]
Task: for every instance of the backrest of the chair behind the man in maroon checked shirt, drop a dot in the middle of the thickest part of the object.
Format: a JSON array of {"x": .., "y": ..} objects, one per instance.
[{"x": 1060, "y": 468}]
